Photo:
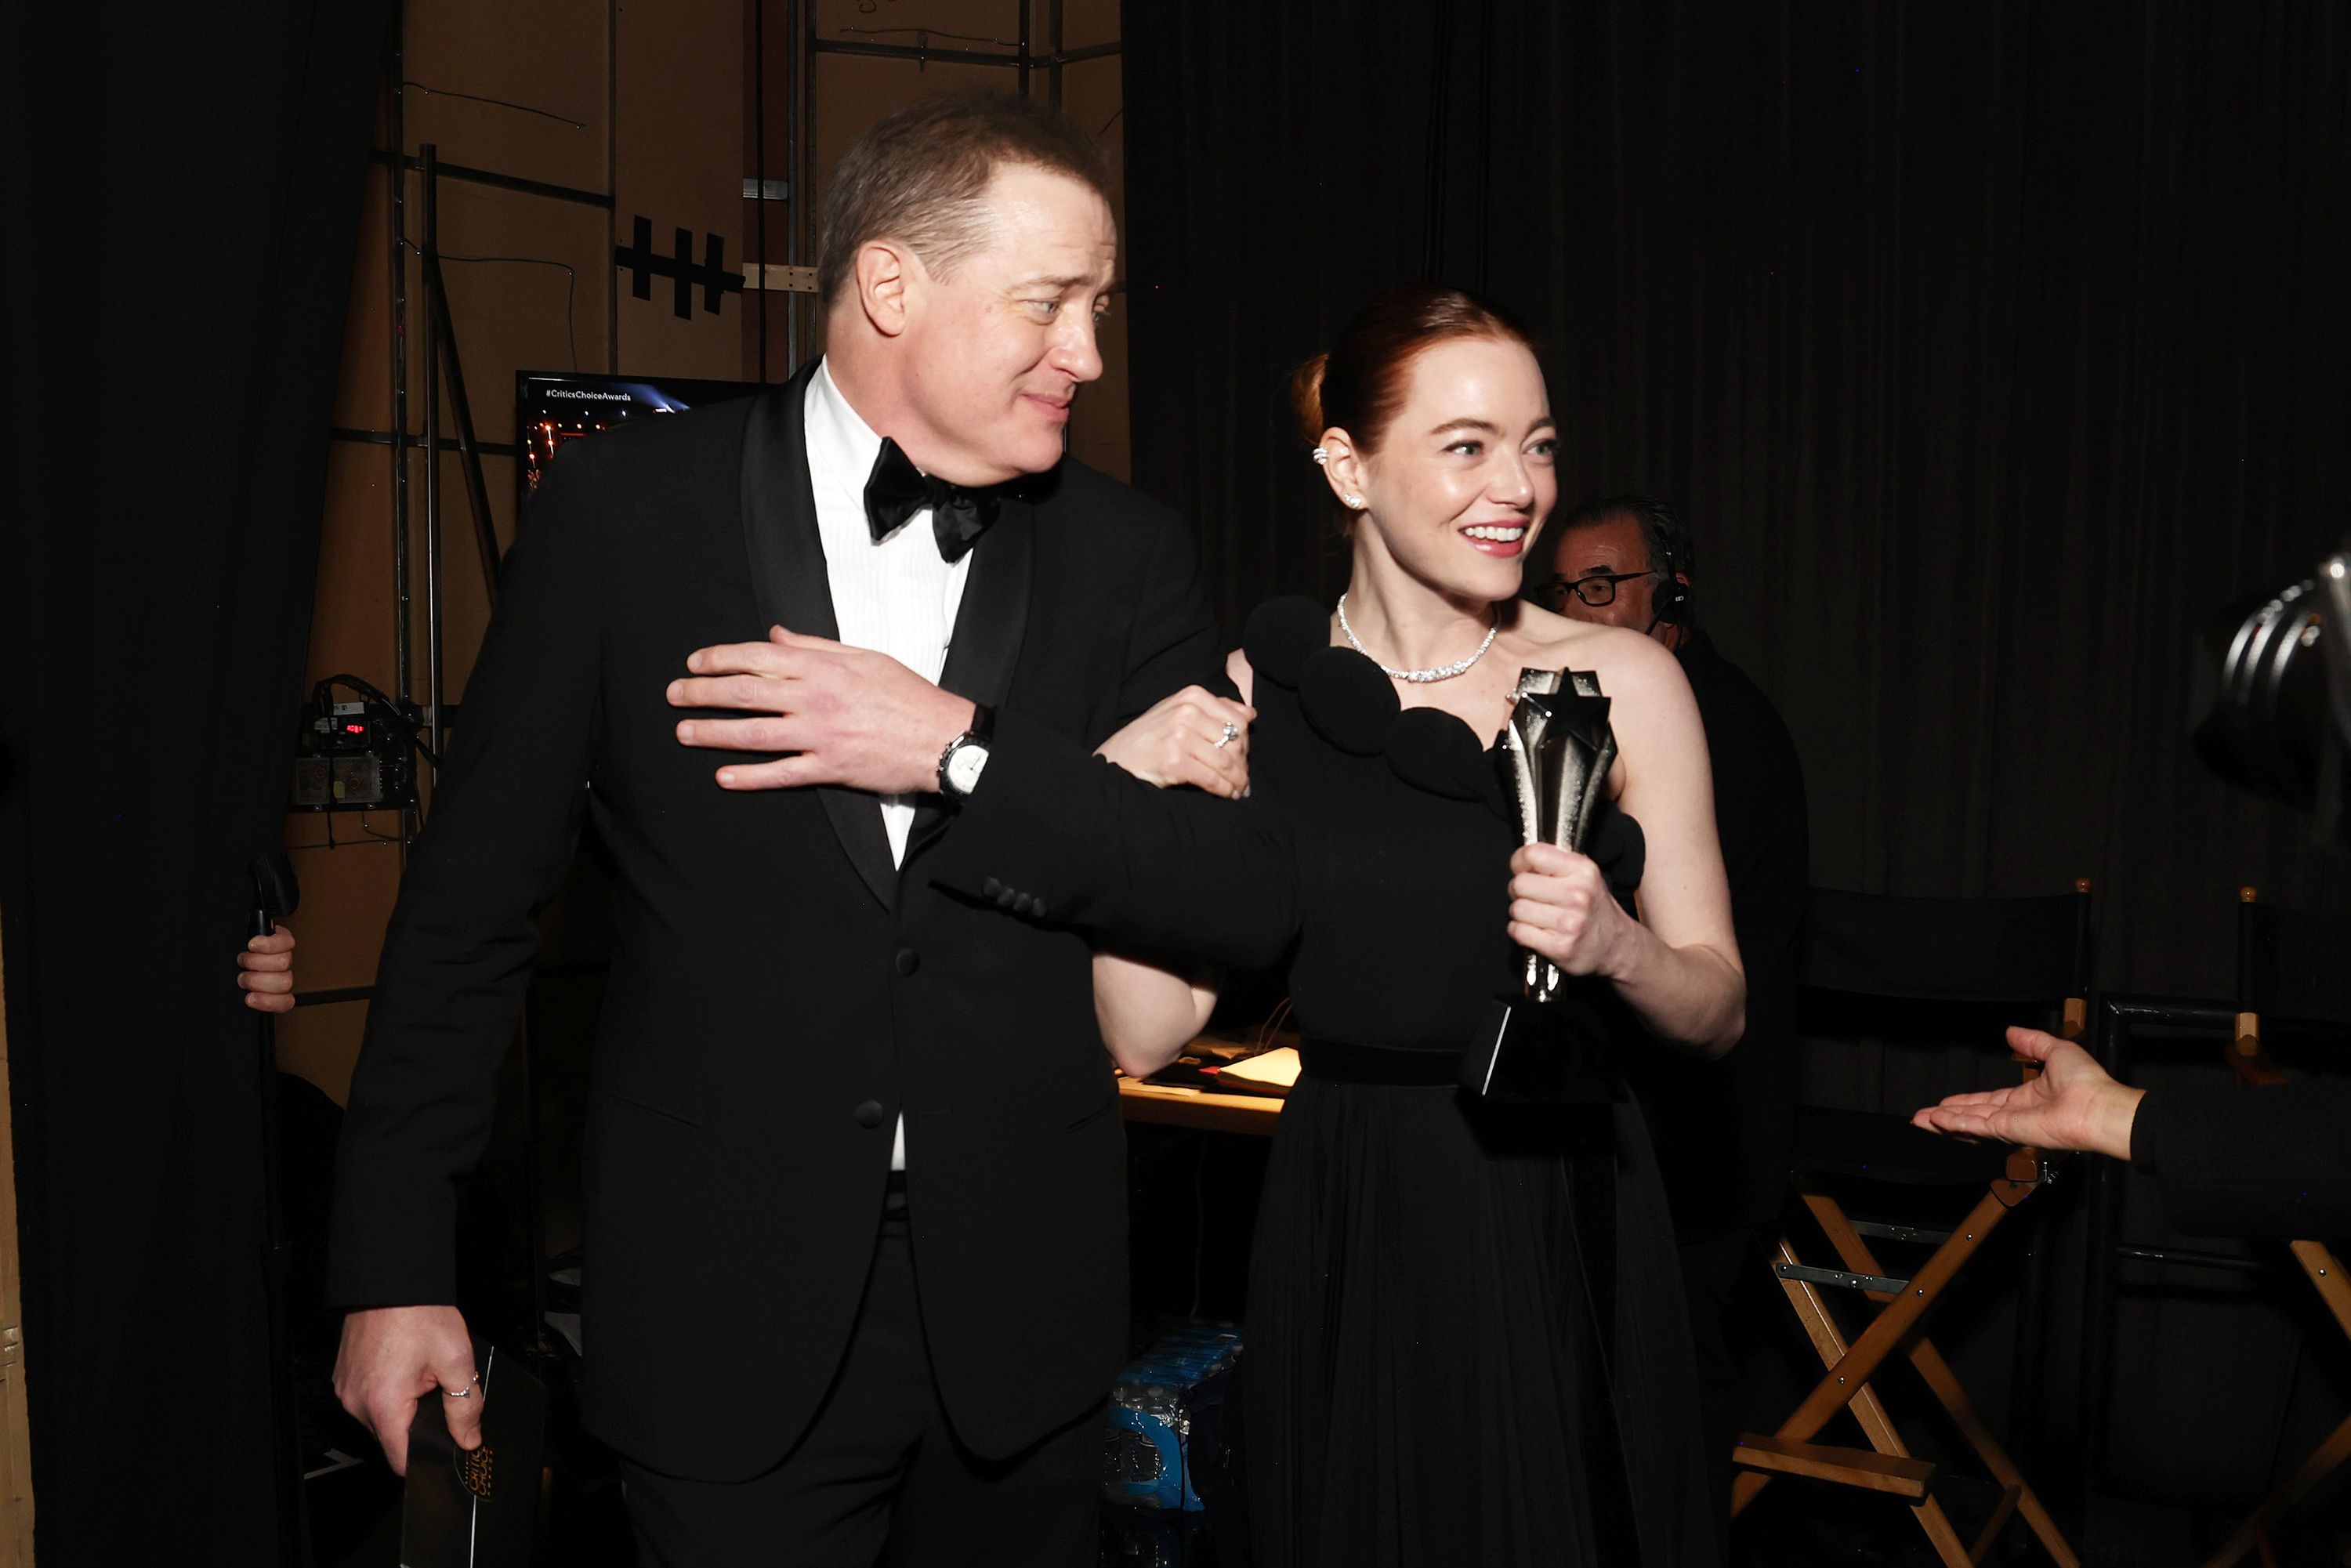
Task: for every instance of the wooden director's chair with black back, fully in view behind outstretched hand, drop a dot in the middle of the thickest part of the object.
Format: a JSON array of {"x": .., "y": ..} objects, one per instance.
[{"x": 1882, "y": 967}]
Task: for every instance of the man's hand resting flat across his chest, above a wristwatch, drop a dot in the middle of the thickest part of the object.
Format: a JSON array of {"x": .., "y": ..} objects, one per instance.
[{"x": 852, "y": 716}]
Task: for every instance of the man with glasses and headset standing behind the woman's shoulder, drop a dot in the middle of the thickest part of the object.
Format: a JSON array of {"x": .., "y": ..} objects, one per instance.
[{"x": 1722, "y": 1127}]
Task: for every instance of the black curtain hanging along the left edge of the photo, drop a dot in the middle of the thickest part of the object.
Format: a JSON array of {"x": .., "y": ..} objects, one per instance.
[{"x": 182, "y": 206}]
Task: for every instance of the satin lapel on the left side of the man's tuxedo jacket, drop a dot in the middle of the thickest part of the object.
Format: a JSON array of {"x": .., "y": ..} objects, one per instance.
[{"x": 796, "y": 594}]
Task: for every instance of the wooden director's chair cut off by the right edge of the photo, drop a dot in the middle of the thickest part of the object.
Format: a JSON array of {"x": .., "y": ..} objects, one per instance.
[{"x": 2291, "y": 967}]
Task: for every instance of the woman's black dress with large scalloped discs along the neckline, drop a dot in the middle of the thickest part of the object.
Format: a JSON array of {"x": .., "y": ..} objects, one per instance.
[{"x": 1466, "y": 1327}]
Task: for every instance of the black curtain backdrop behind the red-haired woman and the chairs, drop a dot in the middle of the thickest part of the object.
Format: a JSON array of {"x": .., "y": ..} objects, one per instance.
[{"x": 1988, "y": 349}]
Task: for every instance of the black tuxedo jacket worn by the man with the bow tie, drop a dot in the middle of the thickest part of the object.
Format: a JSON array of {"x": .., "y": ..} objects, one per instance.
[{"x": 779, "y": 993}]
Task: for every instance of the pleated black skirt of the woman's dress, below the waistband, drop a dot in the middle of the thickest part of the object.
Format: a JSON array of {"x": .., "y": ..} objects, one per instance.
[{"x": 1421, "y": 1374}]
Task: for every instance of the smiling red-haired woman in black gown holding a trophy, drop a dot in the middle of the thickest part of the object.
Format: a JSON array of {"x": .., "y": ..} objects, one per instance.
[{"x": 1466, "y": 1336}]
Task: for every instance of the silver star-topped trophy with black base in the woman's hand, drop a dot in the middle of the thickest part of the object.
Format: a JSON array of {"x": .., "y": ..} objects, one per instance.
[{"x": 1555, "y": 760}]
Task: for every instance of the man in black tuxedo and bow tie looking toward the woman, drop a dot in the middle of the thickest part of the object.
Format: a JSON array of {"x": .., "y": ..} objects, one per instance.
[{"x": 855, "y": 1240}]
